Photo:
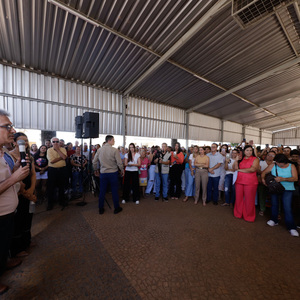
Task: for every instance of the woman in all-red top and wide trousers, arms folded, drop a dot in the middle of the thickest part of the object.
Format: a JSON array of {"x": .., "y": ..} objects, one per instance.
[{"x": 246, "y": 185}]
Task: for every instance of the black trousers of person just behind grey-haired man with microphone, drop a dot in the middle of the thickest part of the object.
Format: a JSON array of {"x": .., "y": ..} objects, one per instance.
[{"x": 22, "y": 227}]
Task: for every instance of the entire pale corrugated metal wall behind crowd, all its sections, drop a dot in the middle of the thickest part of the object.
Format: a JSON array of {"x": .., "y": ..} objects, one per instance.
[{"x": 43, "y": 102}]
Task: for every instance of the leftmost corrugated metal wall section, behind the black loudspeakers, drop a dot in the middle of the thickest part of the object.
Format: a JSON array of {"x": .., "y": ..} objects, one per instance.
[{"x": 42, "y": 102}]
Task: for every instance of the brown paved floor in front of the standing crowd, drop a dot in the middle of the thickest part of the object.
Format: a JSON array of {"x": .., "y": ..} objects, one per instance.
[{"x": 156, "y": 250}]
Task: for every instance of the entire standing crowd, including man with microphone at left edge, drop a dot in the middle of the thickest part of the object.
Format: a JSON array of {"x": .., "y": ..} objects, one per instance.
[{"x": 220, "y": 174}]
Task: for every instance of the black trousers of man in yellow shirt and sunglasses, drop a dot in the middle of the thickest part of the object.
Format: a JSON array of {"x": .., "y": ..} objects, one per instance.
[{"x": 57, "y": 178}]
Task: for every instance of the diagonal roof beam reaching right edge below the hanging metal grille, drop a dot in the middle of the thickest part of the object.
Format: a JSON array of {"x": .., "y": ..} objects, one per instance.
[{"x": 262, "y": 76}]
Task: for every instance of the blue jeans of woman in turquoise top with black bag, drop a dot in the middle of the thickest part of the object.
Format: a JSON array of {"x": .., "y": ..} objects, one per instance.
[{"x": 287, "y": 198}]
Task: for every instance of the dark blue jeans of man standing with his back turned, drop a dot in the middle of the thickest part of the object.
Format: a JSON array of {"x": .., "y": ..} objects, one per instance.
[{"x": 112, "y": 179}]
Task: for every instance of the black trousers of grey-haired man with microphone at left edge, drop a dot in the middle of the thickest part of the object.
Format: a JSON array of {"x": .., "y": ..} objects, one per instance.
[{"x": 6, "y": 233}]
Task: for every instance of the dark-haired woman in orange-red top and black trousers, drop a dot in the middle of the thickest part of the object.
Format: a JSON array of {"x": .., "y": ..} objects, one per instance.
[{"x": 176, "y": 169}]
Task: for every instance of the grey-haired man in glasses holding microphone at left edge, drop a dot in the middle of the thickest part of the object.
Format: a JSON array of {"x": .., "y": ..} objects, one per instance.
[{"x": 10, "y": 174}]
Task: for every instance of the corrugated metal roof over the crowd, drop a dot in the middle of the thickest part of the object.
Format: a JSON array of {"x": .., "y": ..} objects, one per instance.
[{"x": 133, "y": 35}]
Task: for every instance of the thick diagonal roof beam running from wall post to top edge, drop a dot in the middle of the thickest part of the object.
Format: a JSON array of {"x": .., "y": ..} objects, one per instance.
[{"x": 182, "y": 41}]
